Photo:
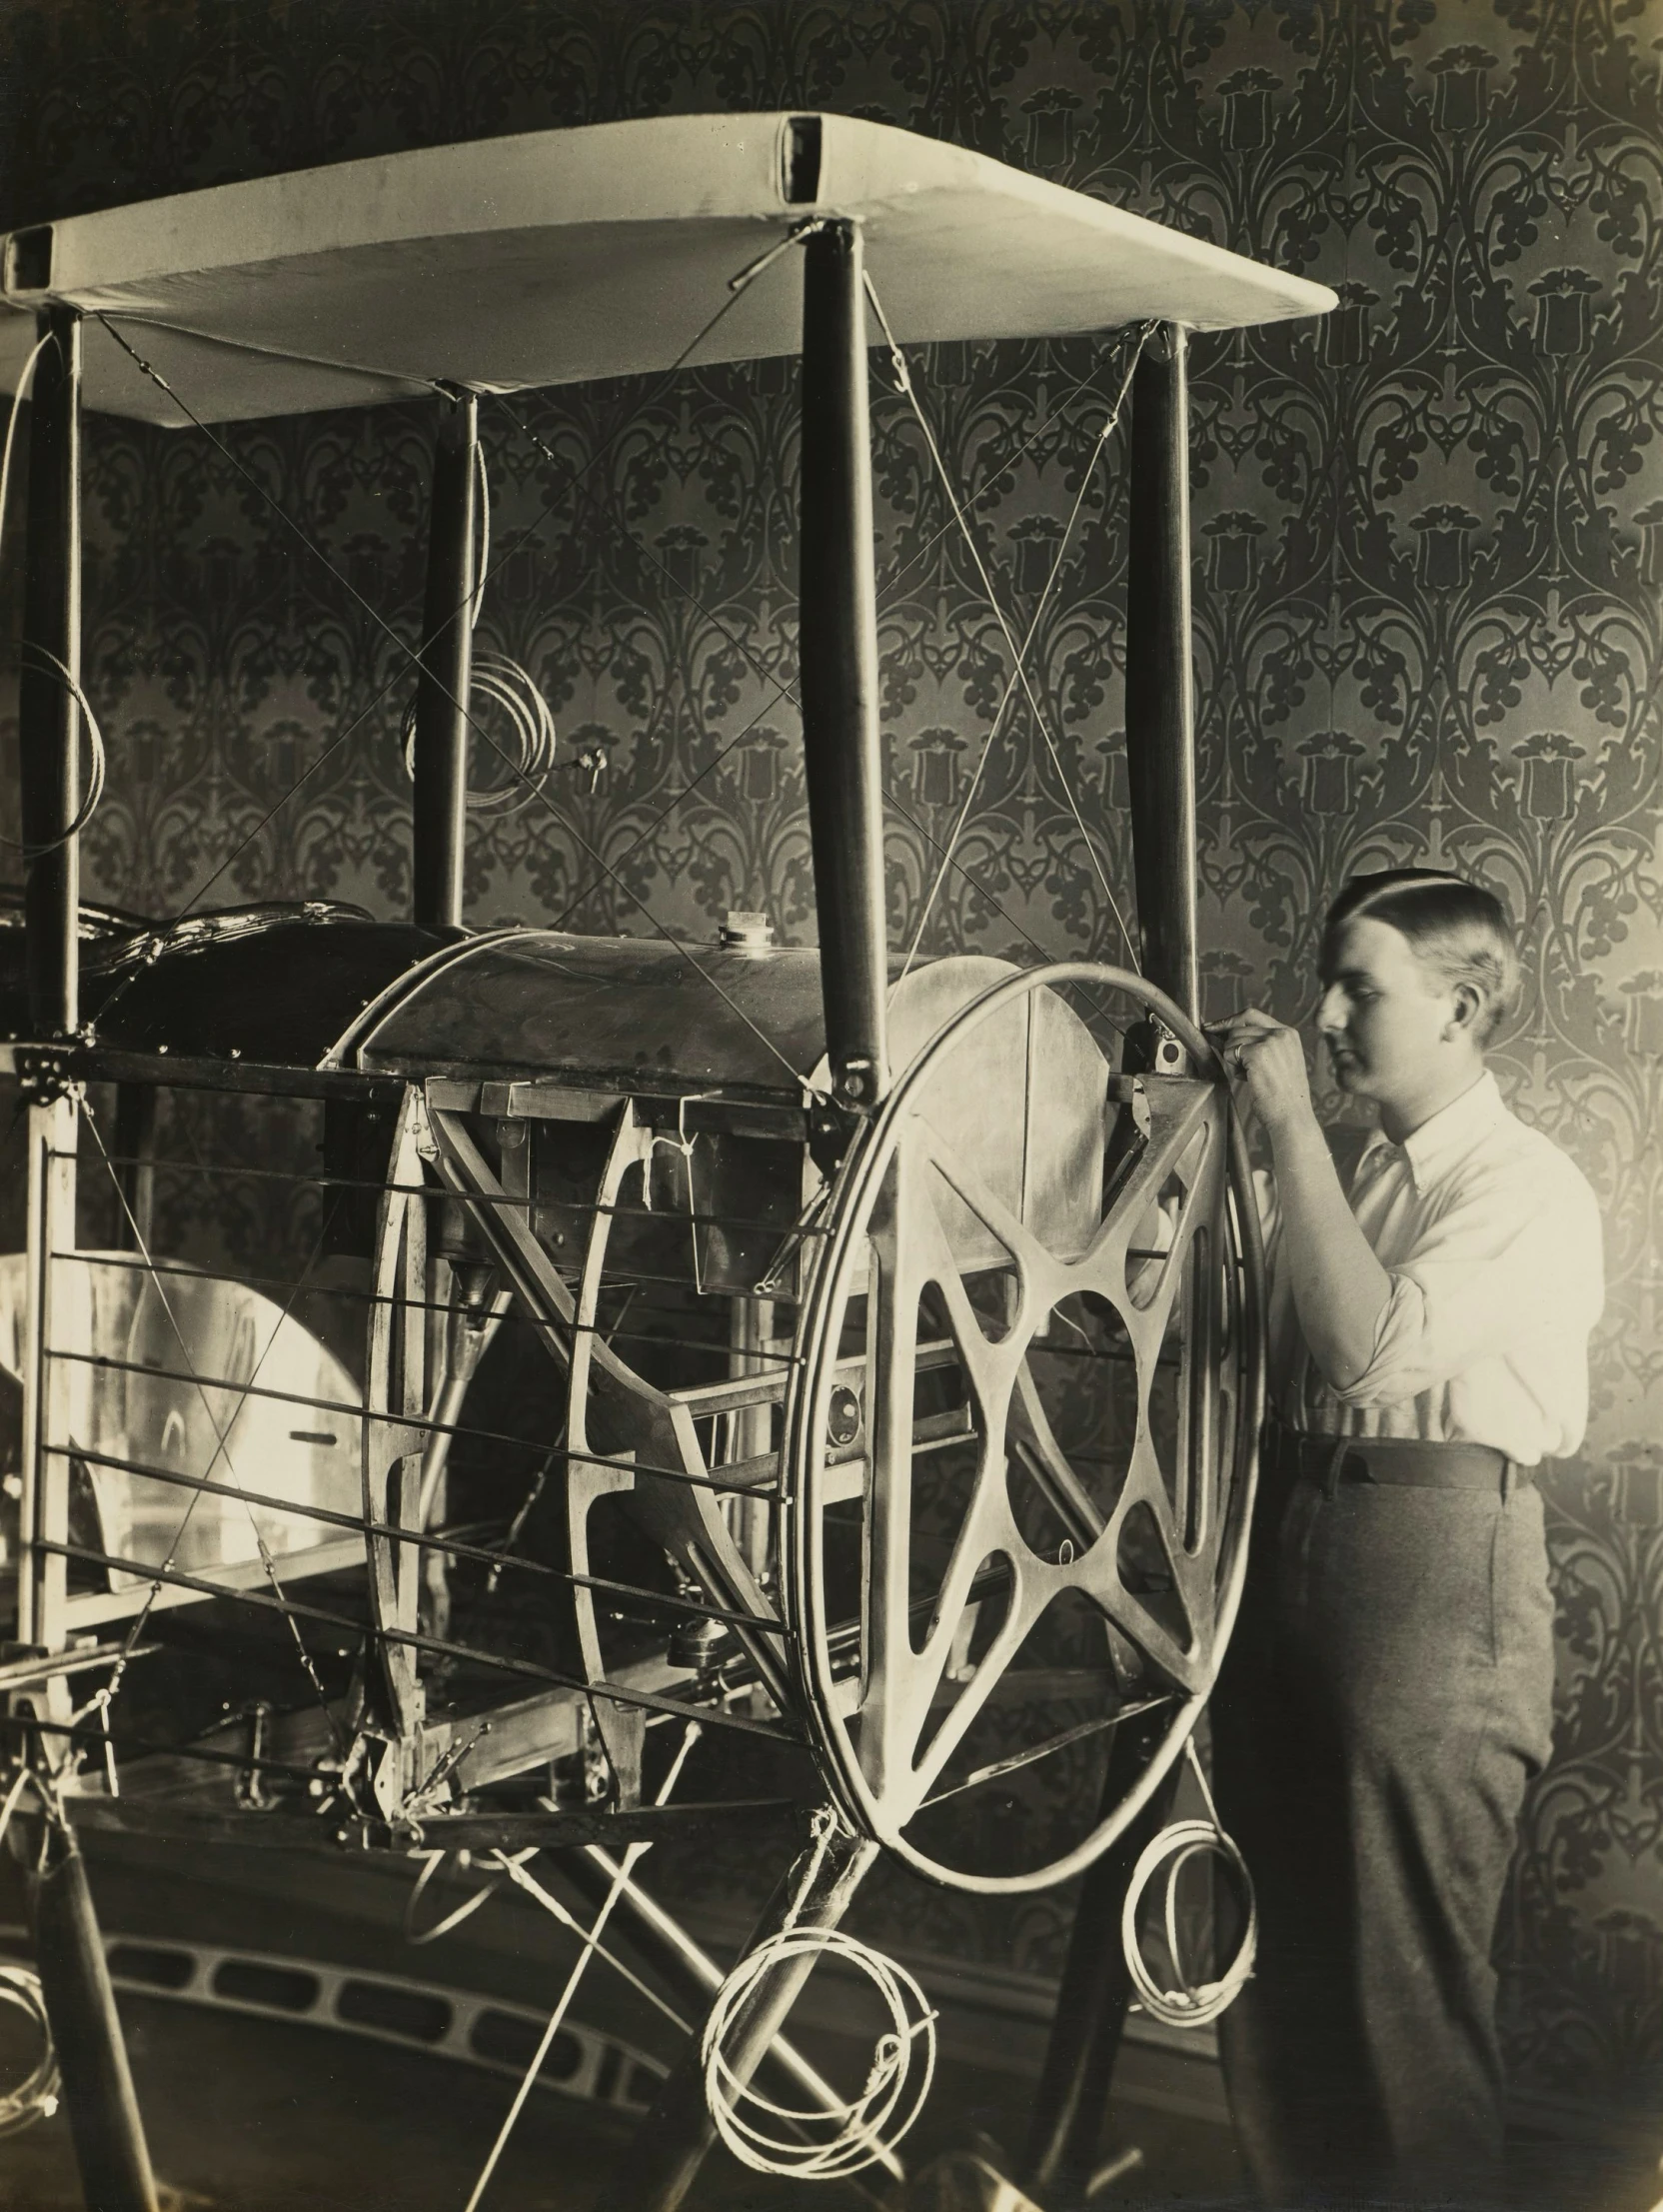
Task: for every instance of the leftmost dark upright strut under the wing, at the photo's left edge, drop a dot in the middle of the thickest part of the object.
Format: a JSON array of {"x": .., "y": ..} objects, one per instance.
[{"x": 52, "y": 656}]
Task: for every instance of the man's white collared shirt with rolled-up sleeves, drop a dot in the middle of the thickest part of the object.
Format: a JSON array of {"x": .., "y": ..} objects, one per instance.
[{"x": 1494, "y": 1249}]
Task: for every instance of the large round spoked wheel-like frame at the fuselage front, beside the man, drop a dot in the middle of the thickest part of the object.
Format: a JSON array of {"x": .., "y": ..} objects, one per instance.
[{"x": 1023, "y": 1432}]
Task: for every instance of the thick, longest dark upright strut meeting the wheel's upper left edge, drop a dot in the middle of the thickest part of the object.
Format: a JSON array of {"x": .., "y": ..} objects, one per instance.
[{"x": 839, "y": 658}]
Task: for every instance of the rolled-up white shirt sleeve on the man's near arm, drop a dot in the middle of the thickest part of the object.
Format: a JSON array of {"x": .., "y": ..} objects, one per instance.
[{"x": 1514, "y": 1262}]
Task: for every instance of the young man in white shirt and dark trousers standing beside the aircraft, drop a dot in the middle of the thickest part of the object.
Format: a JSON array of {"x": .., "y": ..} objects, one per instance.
[{"x": 1390, "y": 1691}]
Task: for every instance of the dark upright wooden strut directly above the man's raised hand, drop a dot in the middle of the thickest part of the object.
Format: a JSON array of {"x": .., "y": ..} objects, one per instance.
[{"x": 1160, "y": 678}]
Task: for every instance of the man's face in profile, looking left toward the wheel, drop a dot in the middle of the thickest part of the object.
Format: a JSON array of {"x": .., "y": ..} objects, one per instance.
[{"x": 1385, "y": 1014}]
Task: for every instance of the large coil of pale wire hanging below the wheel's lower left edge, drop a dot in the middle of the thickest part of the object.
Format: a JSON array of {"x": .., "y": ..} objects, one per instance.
[{"x": 868, "y": 2127}]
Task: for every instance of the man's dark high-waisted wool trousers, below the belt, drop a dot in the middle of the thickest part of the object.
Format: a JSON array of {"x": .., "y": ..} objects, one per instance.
[{"x": 1385, "y": 1700}]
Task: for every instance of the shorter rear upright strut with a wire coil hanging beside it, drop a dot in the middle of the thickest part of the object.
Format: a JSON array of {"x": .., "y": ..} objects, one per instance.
[{"x": 439, "y": 766}]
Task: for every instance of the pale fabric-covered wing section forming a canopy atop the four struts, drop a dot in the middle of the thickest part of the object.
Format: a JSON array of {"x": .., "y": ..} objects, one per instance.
[{"x": 563, "y": 255}]
